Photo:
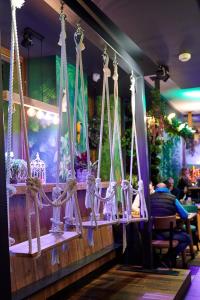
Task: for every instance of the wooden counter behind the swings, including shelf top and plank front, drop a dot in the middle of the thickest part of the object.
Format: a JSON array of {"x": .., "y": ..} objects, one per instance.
[{"x": 30, "y": 275}]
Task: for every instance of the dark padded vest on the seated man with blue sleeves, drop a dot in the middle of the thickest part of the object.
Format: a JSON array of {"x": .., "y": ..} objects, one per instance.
[{"x": 162, "y": 204}]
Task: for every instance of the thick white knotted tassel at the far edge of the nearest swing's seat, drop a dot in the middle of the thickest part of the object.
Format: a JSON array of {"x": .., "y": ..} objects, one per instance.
[{"x": 56, "y": 223}]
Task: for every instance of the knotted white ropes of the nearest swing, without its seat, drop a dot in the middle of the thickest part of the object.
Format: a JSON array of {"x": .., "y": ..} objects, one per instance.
[{"x": 34, "y": 188}]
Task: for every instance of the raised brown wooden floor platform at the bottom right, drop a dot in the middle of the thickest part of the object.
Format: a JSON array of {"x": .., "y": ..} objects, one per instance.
[{"x": 118, "y": 284}]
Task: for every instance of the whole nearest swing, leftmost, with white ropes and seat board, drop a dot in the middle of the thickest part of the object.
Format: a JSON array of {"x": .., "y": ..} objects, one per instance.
[{"x": 35, "y": 192}]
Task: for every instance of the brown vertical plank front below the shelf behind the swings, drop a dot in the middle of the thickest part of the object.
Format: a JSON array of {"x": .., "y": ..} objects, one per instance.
[{"x": 26, "y": 271}]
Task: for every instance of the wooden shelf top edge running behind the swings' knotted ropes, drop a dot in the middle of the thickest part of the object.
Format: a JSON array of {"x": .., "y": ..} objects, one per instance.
[{"x": 21, "y": 187}]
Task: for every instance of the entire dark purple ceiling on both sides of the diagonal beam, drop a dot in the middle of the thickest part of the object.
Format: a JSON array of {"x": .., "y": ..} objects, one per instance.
[{"x": 161, "y": 28}]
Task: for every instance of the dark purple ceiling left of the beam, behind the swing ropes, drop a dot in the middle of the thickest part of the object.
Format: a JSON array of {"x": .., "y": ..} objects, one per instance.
[{"x": 41, "y": 18}]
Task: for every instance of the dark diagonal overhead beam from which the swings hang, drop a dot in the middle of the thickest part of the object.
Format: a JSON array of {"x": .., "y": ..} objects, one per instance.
[{"x": 100, "y": 29}]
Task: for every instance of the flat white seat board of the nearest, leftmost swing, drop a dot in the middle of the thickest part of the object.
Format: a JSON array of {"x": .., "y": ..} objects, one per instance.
[{"x": 48, "y": 241}]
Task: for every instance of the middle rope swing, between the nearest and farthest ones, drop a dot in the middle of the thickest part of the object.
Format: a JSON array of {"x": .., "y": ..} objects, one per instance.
[{"x": 93, "y": 189}]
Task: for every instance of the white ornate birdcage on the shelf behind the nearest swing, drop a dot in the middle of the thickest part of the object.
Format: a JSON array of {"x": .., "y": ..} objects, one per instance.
[{"x": 38, "y": 168}]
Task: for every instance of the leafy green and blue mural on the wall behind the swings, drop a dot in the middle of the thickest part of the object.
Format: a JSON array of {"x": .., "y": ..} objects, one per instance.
[{"x": 43, "y": 138}]
